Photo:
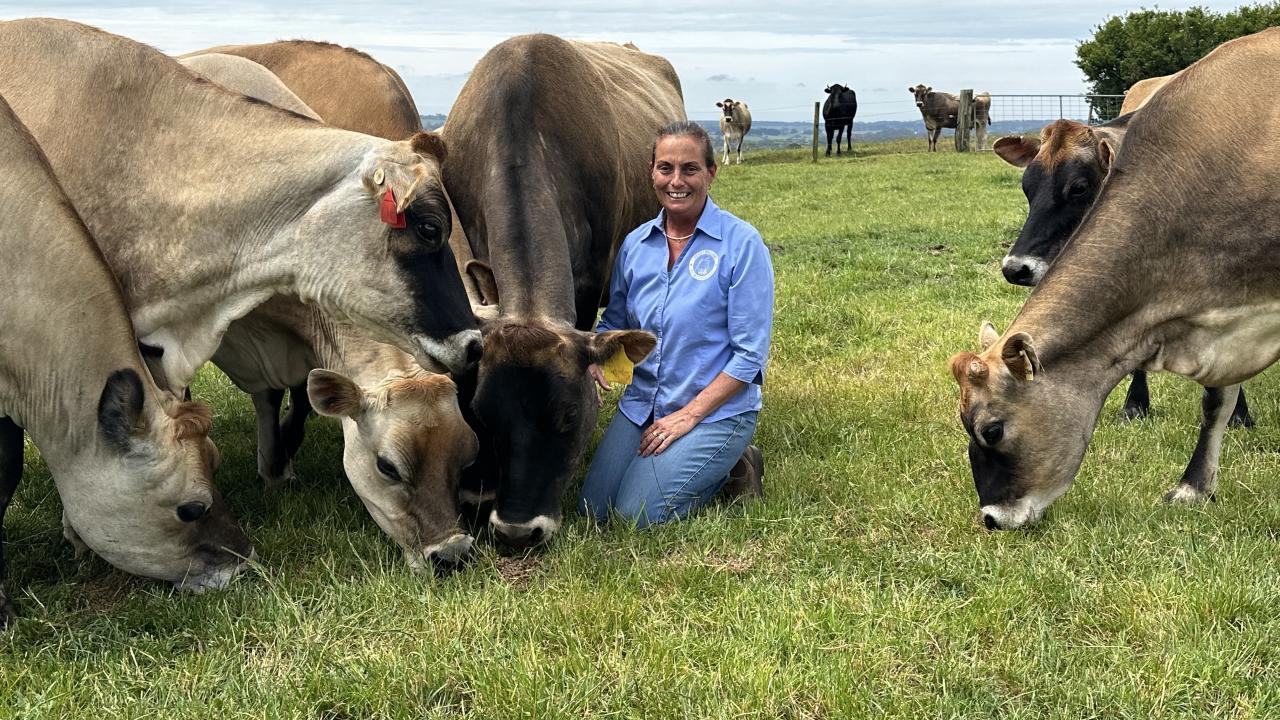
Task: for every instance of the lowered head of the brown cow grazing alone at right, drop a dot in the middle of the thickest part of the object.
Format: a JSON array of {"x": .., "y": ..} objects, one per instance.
[{"x": 1028, "y": 431}]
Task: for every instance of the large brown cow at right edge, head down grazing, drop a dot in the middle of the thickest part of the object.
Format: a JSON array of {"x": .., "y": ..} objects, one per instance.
[{"x": 1174, "y": 268}]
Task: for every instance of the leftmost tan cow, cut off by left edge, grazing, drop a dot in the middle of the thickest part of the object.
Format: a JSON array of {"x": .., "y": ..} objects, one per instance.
[{"x": 132, "y": 464}]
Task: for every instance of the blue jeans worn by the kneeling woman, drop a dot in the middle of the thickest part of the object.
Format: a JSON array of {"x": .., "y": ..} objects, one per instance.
[{"x": 655, "y": 490}]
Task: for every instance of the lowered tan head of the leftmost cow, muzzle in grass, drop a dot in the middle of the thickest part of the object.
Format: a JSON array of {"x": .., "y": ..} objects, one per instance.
[{"x": 145, "y": 499}]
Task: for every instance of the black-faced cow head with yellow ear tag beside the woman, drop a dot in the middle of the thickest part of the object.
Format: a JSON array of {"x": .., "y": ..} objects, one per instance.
[{"x": 536, "y": 408}]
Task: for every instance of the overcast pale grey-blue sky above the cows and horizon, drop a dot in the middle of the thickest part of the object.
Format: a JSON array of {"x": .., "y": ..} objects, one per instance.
[{"x": 775, "y": 56}]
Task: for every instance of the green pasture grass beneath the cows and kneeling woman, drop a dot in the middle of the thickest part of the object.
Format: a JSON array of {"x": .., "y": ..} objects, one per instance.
[{"x": 862, "y": 587}]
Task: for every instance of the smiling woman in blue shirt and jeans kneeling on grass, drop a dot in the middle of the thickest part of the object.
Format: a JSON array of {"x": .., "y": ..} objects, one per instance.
[{"x": 702, "y": 282}]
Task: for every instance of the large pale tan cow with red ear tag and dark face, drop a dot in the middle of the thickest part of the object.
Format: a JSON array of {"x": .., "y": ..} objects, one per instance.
[{"x": 218, "y": 202}]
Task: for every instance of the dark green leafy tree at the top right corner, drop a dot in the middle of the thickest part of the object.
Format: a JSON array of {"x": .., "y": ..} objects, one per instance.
[{"x": 1159, "y": 43}]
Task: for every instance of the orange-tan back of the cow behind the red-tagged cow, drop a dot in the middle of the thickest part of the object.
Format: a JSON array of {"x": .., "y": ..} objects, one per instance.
[{"x": 348, "y": 88}]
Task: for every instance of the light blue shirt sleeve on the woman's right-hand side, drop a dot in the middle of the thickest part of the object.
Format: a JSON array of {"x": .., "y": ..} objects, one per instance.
[{"x": 751, "y": 312}]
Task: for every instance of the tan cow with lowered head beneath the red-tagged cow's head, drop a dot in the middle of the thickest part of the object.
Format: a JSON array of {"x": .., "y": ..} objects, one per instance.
[{"x": 406, "y": 441}]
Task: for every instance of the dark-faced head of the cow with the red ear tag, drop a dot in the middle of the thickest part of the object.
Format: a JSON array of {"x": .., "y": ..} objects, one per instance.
[{"x": 423, "y": 299}]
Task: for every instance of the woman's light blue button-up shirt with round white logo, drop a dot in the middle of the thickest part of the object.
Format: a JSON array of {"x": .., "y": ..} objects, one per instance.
[{"x": 712, "y": 313}]
